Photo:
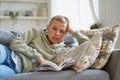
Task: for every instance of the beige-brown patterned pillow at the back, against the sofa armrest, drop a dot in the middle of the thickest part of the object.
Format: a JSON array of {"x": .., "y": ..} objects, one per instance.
[{"x": 110, "y": 35}]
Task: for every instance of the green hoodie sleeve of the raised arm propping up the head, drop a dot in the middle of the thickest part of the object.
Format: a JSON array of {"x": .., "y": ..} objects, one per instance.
[{"x": 80, "y": 37}]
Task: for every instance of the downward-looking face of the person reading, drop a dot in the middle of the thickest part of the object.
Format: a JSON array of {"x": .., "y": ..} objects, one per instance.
[{"x": 56, "y": 31}]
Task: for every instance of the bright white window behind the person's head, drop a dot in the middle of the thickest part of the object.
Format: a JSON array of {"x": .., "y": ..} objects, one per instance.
[{"x": 78, "y": 12}]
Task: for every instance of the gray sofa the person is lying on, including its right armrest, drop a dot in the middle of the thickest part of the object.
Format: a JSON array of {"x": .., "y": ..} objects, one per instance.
[{"x": 111, "y": 71}]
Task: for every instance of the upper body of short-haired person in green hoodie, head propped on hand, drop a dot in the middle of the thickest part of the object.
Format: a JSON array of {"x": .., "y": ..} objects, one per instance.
[{"x": 36, "y": 46}]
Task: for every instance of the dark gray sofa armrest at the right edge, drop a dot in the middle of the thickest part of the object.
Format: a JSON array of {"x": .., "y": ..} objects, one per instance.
[{"x": 113, "y": 65}]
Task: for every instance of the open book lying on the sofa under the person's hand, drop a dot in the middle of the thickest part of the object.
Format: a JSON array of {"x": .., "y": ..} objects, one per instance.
[{"x": 48, "y": 65}]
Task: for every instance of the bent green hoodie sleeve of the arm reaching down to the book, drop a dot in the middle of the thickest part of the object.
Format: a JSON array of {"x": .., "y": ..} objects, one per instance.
[{"x": 21, "y": 44}]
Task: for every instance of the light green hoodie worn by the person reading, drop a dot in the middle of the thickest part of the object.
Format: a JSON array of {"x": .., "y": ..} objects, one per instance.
[{"x": 34, "y": 43}]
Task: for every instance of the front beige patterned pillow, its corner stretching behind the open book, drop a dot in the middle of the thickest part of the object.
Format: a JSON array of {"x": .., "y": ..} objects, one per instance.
[{"x": 84, "y": 54}]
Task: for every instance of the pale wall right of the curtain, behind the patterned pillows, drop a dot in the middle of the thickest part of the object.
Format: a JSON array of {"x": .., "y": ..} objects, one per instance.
[{"x": 109, "y": 13}]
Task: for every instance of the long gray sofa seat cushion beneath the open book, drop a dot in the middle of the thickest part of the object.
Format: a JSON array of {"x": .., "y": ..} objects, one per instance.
[{"x": 62, "y": 75}]
